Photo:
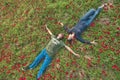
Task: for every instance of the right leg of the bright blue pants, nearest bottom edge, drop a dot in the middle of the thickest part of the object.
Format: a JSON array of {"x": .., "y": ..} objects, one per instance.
[{"x": 45, "y": 64}]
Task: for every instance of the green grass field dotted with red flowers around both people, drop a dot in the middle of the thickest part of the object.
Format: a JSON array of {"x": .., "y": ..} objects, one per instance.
[{"x": 23, "y": 36}]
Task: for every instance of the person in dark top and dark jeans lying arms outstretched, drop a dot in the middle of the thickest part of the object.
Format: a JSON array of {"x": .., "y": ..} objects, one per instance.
[{"x": 82, "y": 25}]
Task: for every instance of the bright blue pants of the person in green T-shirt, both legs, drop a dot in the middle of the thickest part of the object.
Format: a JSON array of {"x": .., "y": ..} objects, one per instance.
[{"x": 45, "y": 64}]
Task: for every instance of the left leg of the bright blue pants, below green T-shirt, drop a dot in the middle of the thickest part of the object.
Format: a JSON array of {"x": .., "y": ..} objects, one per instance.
[{"x": 37, "y": 60}]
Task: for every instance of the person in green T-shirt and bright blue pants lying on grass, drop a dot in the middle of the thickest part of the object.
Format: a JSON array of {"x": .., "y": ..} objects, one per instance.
[{"x": 48, "y": 53}]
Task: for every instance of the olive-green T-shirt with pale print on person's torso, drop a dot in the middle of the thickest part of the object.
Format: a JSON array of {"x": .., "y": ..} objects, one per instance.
[{"x": 53, "y": 46}]
